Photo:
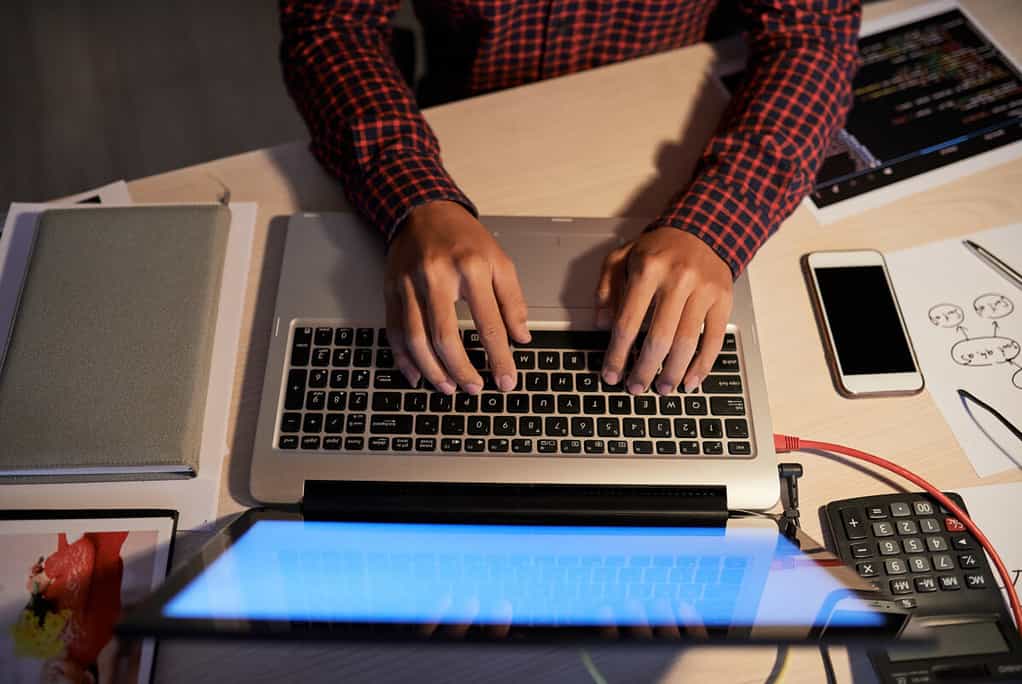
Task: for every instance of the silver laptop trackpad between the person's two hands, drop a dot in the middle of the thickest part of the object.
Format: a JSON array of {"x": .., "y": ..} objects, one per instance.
[{"x": 559, "y": 270}]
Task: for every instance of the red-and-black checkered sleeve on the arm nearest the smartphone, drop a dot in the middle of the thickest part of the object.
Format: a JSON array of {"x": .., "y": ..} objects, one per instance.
[{"x": 764, "y": 158}]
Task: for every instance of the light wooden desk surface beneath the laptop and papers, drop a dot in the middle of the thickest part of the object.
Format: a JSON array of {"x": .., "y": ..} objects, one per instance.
[{"x": 618, "y": 142}]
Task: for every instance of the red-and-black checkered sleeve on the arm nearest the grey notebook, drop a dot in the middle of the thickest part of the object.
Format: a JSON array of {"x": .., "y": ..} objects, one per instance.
[{"x": 365, "y": 126}]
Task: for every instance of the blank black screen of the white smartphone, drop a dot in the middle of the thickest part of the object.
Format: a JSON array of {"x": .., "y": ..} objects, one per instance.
[{"x": 864, "y": 321}]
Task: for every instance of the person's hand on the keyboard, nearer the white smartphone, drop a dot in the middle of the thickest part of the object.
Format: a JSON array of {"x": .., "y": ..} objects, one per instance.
[{"x": 690, "y": 288}]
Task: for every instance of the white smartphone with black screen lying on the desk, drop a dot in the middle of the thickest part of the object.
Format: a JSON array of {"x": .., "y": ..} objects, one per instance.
[{"x": 868, "y": 347}]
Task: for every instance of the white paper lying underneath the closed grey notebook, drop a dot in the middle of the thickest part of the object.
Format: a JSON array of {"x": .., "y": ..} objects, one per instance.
[{"x": 198, "y": 498}]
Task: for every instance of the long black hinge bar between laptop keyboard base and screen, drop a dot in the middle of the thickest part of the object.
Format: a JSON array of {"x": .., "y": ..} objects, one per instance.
[{"x": 454, "y": 503}]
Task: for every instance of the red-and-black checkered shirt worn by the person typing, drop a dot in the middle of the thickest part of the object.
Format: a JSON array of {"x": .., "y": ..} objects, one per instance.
[{"x": 367, "y": 130}]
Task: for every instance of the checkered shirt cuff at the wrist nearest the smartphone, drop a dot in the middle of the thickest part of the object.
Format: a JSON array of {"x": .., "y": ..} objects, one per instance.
[{"x": 723, "y": 215}]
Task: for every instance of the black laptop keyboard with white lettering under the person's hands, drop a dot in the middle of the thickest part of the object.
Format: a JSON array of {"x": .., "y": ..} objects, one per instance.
[{"x": 344, "y": 393}]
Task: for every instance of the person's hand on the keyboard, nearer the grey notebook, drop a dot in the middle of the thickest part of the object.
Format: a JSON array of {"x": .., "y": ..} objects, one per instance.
[{"x": 443, "y": 255}]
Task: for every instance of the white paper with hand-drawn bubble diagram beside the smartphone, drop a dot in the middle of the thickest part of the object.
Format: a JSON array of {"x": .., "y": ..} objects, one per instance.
[{"x": 965, "y": 321}]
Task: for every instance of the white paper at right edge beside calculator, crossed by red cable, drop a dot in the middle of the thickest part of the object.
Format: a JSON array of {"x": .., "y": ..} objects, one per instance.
[{"x": 996, "y": 509}]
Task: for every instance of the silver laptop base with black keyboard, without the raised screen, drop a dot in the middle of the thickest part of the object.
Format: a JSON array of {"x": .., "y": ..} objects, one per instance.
[{"x": 335, "y": 408}]
